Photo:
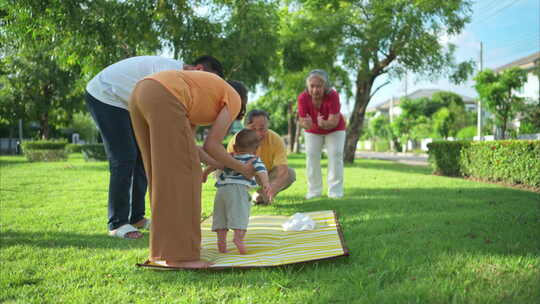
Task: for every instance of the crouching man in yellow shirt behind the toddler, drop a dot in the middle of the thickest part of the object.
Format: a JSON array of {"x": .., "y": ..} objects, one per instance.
[{"x": 272, "y": 152}]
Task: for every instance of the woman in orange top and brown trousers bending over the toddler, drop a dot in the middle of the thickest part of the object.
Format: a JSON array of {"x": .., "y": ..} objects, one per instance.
[{"x": 165, "y": 108}]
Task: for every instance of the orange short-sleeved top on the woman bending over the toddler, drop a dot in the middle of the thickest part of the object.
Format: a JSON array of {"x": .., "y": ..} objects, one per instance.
[{"x": 203, "y": 94}]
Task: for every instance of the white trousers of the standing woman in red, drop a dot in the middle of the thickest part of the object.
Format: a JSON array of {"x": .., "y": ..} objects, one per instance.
[{"x": 335, "y": 143}]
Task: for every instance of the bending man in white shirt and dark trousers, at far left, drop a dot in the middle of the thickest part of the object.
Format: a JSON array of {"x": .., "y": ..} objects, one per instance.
[{"x": 107, "y": 96}]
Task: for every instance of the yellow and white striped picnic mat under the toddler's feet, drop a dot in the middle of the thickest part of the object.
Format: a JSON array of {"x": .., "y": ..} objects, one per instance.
[{"x": 269, "y": 245}]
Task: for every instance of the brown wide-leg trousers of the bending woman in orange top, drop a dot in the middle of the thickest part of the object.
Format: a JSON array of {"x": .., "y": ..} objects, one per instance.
[{"x": 173, "y": 168}]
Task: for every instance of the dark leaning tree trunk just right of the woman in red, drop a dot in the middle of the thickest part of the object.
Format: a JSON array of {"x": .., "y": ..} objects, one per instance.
[{"x": 354, "y": 130}]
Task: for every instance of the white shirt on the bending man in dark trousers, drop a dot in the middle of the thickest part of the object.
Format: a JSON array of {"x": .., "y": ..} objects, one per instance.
[{"x": 114, "y": 84}]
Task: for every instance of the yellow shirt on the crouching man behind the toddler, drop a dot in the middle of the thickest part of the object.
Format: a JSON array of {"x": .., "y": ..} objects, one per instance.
[{"x": 271, "y": 150}]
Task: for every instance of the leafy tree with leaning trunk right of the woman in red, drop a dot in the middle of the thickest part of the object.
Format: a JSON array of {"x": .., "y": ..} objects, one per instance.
[{"x": 379, "y": 37}]
